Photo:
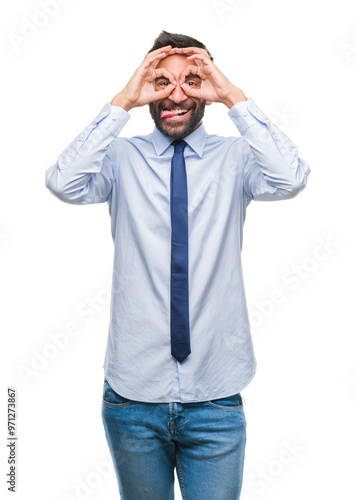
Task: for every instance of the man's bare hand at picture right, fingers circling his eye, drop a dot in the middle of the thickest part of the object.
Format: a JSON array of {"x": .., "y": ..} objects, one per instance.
[{"x": 215, "y": 87}]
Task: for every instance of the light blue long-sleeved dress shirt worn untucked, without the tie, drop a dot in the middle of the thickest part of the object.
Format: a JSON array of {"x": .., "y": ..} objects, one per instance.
[{"x": 133, "y": 176}]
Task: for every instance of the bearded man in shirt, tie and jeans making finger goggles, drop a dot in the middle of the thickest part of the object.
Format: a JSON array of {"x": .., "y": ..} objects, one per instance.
[{"x": 179, "y": 347}]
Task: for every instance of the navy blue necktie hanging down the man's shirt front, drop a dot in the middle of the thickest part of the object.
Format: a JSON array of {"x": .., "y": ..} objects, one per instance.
[{"x": 180, "y": 337}]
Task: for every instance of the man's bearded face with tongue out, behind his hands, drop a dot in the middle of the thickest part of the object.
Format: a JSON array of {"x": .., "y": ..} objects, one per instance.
[{"x": 177, "y": 115}]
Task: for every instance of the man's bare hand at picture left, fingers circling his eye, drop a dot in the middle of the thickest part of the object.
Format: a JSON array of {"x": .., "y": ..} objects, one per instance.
[{"x": 140, "y": 89}]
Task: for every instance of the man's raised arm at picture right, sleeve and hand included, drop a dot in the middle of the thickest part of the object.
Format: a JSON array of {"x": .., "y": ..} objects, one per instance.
[{"x": 272, "y": 169}]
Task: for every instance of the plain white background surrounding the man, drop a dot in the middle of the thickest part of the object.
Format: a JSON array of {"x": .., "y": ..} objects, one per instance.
[{"x": 297, "y": 60}]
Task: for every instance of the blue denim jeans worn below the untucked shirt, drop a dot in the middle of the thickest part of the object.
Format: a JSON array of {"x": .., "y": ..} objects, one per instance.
[{"x": 205, "y": 441}]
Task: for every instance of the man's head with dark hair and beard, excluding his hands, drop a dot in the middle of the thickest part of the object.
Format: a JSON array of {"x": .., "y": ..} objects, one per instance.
[{"x": 177, "y": 115}]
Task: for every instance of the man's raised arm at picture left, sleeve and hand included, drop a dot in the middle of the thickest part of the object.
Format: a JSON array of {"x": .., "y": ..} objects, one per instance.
[{"x": 85, "y": 171}]
